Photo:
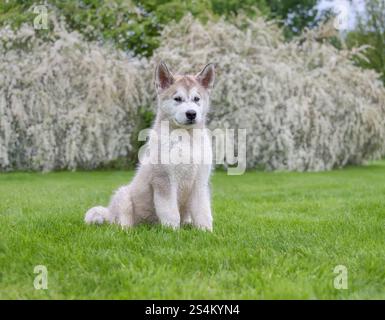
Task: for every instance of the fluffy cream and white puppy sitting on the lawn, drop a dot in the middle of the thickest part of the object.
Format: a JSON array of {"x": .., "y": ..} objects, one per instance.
[{"x": 170, "y": 192}]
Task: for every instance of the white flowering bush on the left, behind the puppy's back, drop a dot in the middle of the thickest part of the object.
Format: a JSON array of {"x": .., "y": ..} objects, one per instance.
[{"x": 65, "y": 103}]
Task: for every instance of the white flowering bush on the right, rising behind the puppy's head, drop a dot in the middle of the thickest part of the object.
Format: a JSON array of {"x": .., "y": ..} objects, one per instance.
[{"x": 304, "y": 104}]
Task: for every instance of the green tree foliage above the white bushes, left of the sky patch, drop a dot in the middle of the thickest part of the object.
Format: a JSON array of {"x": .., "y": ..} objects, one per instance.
[{"x": 135, "y": 25}]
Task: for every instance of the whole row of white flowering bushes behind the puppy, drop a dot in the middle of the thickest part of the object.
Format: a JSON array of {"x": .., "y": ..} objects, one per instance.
[{"x": 66, "y": 103}]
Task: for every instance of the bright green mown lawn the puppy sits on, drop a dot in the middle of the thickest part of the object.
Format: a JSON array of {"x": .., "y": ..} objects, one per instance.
[{"x": 276, "y": 235}]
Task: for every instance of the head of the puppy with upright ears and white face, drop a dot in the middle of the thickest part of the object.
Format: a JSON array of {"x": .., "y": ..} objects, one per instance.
[{"x": 184, "y": 99}]
